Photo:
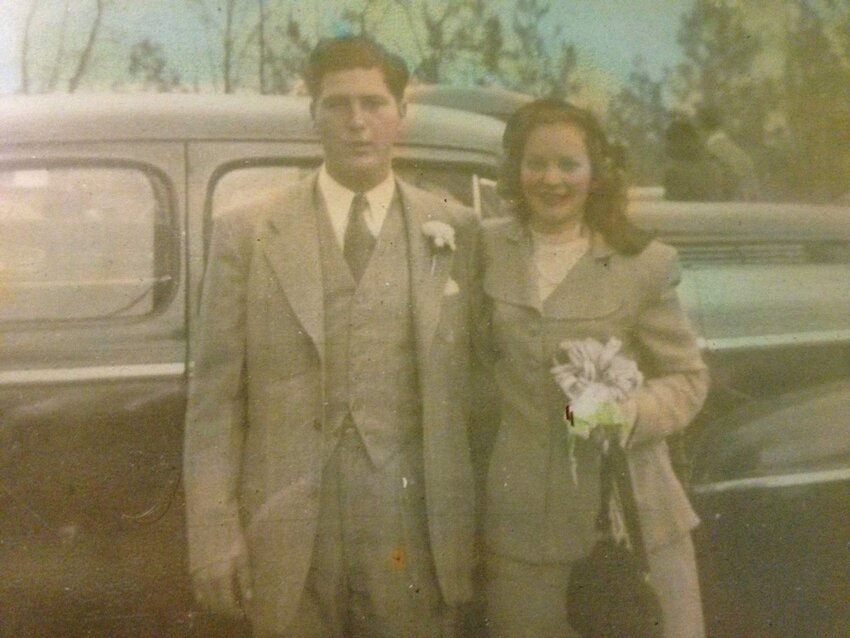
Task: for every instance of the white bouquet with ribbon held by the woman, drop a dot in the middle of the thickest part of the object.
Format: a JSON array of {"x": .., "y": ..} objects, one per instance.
[{"x": 595, "y": 378}]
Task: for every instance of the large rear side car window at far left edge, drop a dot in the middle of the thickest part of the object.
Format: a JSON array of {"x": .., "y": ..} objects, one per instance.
[{"x": 83, "y": 242}]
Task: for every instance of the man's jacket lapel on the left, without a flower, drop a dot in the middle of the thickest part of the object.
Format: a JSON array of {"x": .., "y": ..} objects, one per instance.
[{"x": 291, "y": 245}]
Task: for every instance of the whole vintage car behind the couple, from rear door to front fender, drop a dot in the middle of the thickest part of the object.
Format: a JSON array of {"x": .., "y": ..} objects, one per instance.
[{"x": 106, "y": 206}]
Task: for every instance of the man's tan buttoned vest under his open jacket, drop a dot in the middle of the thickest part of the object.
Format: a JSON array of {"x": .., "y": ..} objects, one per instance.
[{"x": 370, "y": 371}]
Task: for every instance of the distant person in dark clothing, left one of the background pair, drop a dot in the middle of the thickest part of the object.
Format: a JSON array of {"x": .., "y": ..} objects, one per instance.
[{"x": 691, "y": 173}]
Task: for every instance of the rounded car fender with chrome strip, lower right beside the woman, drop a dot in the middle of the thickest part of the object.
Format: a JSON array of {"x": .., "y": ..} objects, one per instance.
[{"x": 772, "y": 486}]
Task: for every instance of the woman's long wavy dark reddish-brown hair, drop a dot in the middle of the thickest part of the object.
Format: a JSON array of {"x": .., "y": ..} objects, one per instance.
[{"x": 605, "y": 209}]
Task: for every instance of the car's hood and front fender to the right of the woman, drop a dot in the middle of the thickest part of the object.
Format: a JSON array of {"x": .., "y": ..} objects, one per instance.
[{"x": 768, "y": 288}]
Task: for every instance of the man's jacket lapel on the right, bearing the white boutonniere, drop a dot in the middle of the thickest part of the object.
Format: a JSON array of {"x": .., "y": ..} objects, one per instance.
[{"x": 429, "y": 271}]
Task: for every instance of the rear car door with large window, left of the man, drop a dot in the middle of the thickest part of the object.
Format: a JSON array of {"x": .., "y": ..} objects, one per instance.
[{"x": 92, "y": 387}]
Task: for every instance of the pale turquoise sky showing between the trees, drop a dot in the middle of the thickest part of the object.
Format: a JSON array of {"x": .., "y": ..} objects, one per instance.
[{"x": 609, "y": 34}]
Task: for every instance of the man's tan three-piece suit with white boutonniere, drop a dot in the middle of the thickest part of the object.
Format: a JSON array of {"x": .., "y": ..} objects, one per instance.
[{"x": 327, "y": 416}]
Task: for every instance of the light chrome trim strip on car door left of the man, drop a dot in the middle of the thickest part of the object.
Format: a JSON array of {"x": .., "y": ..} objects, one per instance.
[{"x": 92, "y": 373}]
